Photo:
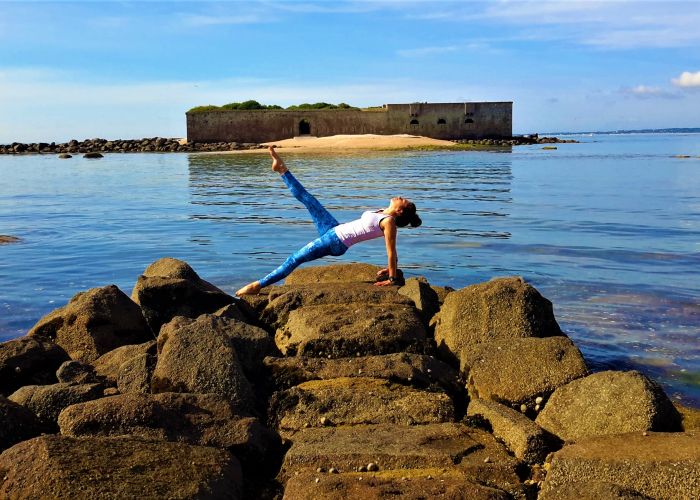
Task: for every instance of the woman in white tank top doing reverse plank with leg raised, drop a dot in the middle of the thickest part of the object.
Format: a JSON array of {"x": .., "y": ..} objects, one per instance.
[{"x": 335, "y": 238}]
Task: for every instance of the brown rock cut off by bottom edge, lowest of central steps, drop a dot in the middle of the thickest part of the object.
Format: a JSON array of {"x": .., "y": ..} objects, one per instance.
[{"x": 413, "y": 484}]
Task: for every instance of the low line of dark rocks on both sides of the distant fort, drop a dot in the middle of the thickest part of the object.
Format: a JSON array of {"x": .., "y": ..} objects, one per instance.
[{"x": 170, "y": 145}]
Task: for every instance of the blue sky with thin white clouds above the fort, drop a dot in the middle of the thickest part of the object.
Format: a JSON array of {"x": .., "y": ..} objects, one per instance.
[{"x": 132, "y": 69}]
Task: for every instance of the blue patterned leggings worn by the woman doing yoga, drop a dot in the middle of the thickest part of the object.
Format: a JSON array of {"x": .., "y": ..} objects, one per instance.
[{"x": 327, "y": 243}]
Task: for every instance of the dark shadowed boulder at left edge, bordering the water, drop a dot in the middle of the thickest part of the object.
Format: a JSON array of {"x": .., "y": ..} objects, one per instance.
[{"x": 28, "y": 361}]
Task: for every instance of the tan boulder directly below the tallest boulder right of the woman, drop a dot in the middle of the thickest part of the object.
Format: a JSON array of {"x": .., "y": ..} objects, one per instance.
[{"x": 517, "y": 371}]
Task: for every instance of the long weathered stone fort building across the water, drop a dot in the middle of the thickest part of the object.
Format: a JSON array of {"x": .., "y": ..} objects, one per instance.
[{"x": 464, "y": 120}]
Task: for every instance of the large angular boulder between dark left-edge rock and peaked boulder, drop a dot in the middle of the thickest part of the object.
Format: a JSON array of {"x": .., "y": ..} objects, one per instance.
[{"x": 93, "y": 323}]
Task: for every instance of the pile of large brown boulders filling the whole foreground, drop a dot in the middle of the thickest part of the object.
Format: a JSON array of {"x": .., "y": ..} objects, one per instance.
[{"x": 328, "y": 388}]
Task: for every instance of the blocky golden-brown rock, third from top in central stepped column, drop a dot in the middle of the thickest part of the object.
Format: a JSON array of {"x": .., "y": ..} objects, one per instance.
[{"x": 346, "y": 329}]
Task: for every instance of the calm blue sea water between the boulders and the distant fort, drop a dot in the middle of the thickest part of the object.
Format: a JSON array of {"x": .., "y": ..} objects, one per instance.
[{"x": 608, "y": 230}]
